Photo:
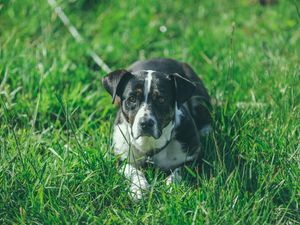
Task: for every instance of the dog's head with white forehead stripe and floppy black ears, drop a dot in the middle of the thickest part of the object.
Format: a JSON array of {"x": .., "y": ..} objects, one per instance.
[{"x": 148, "y": 99}]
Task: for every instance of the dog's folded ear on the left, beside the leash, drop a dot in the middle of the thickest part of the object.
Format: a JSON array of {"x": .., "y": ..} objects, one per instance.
[{"x": 115, "y": 82}]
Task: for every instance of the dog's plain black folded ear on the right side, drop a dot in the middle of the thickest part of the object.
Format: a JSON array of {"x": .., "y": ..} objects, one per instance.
[{"x": 184, "y": 88}]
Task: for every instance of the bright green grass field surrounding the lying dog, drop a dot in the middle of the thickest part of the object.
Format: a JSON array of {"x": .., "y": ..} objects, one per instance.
[{"x": 56, "y": 161}]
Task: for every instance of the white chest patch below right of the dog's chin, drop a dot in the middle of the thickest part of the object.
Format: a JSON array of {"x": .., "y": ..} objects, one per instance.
[{"x": 171, "y": 157}]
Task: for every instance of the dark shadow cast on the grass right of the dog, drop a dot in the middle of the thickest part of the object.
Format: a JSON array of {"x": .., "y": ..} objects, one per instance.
[{"x": 221, "y": 156}]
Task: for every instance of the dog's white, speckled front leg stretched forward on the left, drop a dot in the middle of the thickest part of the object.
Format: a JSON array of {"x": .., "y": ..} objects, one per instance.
[{"x": 138, "y": 181}]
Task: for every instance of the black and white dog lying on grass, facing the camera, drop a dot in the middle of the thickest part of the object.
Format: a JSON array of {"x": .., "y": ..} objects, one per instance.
[{"x": 164, "y": 108}]
